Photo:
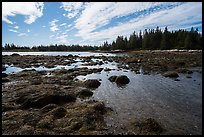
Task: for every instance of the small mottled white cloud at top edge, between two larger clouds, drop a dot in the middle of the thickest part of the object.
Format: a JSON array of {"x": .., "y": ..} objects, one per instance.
[{"x": 73, "y": 8}]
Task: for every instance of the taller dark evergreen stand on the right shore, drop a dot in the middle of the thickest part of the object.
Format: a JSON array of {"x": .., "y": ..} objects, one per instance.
[{"x": 156, "y": 39}]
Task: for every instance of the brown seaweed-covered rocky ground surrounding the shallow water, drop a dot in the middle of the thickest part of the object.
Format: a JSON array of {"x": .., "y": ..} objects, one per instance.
[{"x": 55, "y": 102}]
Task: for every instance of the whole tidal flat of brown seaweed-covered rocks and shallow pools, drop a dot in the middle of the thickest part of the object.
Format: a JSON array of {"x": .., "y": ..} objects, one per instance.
[{"x": 141, "y": 93}]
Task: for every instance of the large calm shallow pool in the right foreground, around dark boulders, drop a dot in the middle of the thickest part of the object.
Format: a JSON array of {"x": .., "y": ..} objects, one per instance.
[{"x": 176, "y": 105}]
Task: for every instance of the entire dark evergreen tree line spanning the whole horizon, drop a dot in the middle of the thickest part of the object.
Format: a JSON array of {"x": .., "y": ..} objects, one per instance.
[{"x": 151, "y": 39}]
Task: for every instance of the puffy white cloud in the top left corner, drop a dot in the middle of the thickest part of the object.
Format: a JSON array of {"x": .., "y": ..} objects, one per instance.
[{"x": 31, "y": 10}]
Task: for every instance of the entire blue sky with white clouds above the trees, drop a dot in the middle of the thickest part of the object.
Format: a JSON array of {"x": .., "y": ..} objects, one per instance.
[{"x": 91, "y": 23}]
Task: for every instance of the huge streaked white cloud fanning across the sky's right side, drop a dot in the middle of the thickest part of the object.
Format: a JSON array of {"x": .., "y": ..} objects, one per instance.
[{"x": 97, "y": 15}]
